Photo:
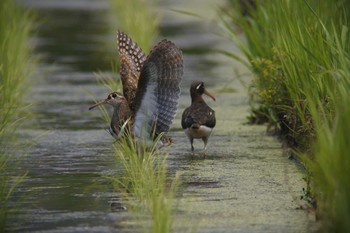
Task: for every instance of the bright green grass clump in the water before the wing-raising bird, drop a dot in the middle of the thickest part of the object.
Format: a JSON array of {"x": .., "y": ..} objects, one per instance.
[{"x": 145, "y": 182}]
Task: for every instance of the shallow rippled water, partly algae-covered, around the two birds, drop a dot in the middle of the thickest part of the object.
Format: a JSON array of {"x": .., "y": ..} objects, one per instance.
[{"x": 242, "y": 183}]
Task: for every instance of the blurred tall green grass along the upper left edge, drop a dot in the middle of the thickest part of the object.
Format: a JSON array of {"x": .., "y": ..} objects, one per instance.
[{"x": 15, "y": 63}]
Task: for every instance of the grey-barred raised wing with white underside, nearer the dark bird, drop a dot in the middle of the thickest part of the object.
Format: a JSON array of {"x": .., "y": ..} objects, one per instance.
[{"x": 158, "y": 90}]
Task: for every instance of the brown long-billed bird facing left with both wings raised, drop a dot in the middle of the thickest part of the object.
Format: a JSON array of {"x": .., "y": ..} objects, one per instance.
[{"x": 151, "y": 89}]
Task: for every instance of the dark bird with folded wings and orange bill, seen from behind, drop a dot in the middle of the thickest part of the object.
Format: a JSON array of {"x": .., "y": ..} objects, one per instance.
[{"x": 198, "y": 120}]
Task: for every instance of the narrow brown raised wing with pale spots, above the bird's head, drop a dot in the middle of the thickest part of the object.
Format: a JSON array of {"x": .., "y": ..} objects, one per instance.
[{"x": 131, "y": 61}]
